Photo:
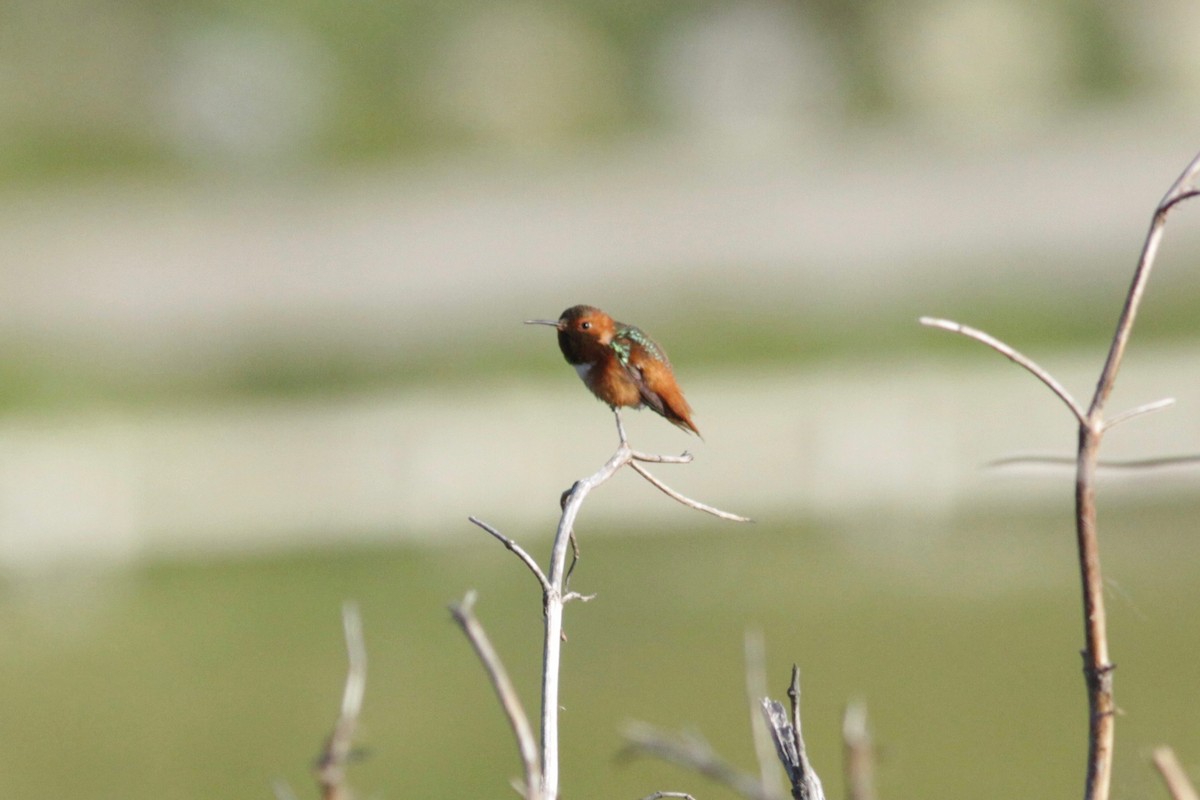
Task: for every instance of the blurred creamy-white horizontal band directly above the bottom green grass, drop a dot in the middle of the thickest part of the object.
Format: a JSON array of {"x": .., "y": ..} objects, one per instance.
[{"x": 831, "y": 444}]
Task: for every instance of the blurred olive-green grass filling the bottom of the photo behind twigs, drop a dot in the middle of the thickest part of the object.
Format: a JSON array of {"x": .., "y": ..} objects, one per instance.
[{"x": 209, "y": 679}]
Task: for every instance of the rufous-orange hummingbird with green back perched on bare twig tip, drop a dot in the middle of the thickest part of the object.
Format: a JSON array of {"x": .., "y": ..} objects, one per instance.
[{"x": 620, "y": 364}]
